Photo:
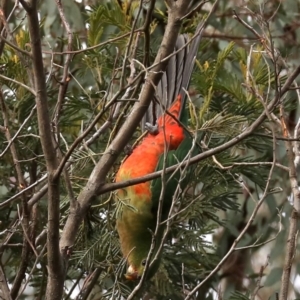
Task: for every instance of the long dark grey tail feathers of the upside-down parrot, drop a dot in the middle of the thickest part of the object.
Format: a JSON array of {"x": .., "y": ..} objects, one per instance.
[{"x": 175, "y": 81}]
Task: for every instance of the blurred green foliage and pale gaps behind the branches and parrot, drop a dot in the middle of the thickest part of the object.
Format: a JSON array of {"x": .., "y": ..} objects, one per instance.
[{"x": 232, "y": 63}]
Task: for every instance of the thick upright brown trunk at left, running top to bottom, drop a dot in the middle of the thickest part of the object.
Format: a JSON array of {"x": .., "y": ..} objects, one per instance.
[{"x": 55, "y": 266}]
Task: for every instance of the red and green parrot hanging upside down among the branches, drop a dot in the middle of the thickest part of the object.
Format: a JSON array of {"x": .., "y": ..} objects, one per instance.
[{"x": 138, "y": 204}]
